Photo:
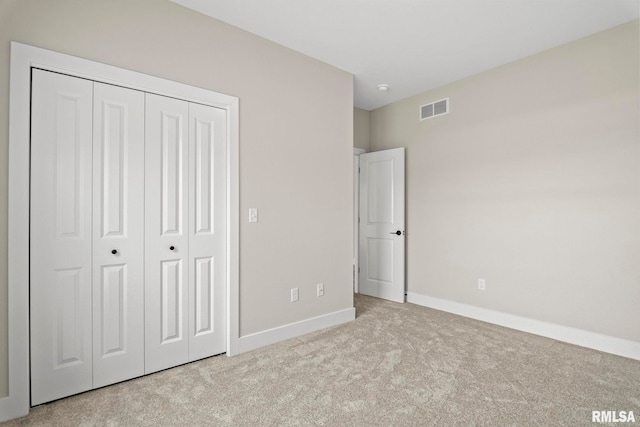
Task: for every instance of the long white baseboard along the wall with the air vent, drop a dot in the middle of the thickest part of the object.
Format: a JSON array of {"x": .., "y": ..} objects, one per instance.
[{"x": 605, "y": 343}]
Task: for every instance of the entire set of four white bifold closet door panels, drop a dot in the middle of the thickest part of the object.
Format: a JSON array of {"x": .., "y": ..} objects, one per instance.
[{"x": 127, "y": 234}]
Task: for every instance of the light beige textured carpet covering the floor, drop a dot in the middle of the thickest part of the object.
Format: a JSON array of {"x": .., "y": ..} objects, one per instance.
[{"x": 395, "y": 365}]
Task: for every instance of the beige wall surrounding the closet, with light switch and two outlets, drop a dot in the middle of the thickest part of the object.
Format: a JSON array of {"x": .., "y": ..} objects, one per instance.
[{"x": 296, "y": 139}]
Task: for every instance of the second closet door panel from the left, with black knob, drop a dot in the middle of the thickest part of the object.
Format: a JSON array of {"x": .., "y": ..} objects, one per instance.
[{"x": 118, "y": 234}]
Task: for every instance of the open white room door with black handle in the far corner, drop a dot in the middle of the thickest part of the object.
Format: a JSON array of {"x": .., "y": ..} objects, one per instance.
[{"x": 382, "y": 224}]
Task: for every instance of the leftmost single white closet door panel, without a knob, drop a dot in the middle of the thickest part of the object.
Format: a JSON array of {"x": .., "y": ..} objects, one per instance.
[{"x": 60, "y": 236}]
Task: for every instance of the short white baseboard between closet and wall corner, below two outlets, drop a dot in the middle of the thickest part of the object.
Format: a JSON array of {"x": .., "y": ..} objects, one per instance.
[{"x": 293, "y": 330}]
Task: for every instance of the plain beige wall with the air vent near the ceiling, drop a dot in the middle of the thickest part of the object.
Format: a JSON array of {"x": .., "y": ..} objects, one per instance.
[{"x": 532, "y": 183}]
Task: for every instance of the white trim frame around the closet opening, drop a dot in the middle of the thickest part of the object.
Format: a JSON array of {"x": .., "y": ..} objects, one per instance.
[{"x": 23, "y": 59}]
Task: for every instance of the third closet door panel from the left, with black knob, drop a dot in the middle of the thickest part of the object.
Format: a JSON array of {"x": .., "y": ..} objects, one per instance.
[{"x": 166, "y": 233}]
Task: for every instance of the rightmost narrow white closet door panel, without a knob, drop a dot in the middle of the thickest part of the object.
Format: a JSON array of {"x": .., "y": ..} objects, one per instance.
[{"x": 207, "y": 231}]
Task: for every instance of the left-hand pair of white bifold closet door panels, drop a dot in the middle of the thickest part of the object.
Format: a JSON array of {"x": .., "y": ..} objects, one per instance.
[{"x": 87, "y": 241}]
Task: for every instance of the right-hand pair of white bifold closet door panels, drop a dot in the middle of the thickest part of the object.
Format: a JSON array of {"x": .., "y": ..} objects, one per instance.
[{"x": 185, "y": 204}]
